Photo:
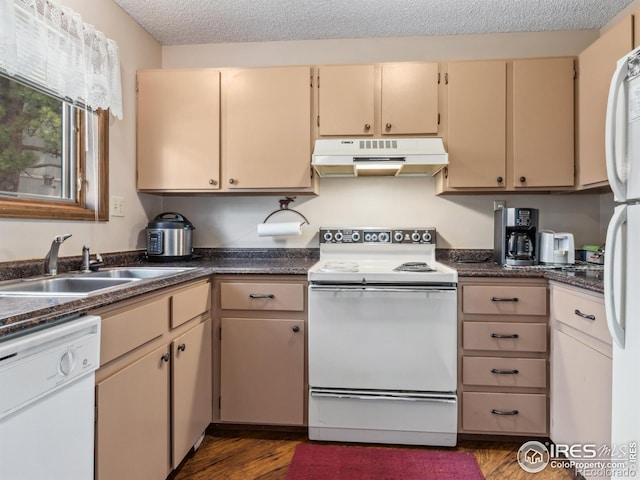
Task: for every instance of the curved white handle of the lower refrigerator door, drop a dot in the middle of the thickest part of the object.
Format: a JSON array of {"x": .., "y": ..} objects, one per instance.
[{"x": 614, "y": 323}]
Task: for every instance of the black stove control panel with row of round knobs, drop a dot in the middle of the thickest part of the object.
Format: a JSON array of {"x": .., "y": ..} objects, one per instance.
[{"x": 378, "y": 236}]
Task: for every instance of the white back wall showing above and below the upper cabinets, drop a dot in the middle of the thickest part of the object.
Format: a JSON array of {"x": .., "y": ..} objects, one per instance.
[{"x": 462, "y": 221}]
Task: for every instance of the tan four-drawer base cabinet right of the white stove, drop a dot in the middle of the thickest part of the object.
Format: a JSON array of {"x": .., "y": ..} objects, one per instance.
[{"x": 503, "y": 356}]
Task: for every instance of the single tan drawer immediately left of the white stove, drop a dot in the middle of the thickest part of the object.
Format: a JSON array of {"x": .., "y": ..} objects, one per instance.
[{"x": 262, "y": 296}]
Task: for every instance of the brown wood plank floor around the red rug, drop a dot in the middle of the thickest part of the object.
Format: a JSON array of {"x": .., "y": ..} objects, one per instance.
[{"x": 252, "y": 455}]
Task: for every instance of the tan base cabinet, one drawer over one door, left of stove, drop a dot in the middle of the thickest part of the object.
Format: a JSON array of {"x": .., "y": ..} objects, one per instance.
[{"x": 260, "y": 373}]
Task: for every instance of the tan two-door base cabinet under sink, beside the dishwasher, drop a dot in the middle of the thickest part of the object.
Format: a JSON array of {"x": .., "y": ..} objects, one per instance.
[{"x": 153, "y": 388}]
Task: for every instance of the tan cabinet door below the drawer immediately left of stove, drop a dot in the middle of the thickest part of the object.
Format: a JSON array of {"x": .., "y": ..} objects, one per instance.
[{"x": 262, "y": 377}]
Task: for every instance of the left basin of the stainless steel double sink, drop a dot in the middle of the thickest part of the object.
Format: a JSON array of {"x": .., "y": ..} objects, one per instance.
[{"x": 61, "y": 286}]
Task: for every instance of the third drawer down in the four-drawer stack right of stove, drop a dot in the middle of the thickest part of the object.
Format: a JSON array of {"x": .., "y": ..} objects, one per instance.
[{"x": 504, "y": 372}]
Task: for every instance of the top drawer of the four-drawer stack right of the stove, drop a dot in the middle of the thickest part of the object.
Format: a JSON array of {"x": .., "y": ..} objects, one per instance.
[{"x": 504, "y": 300}]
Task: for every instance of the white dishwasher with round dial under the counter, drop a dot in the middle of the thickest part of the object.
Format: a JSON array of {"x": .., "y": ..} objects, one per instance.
[{"x": 47, "y": 402}]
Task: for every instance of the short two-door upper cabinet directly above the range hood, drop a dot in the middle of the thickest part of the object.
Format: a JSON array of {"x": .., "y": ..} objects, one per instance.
[{"x": 376, "y": 100}]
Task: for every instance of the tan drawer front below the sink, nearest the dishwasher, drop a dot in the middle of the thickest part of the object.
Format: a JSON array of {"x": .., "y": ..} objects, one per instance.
[{"x": 129, "y": 329}]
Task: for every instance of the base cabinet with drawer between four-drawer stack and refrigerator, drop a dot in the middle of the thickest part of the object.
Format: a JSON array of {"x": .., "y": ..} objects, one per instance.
[{"x": 580, "y": 369}]
